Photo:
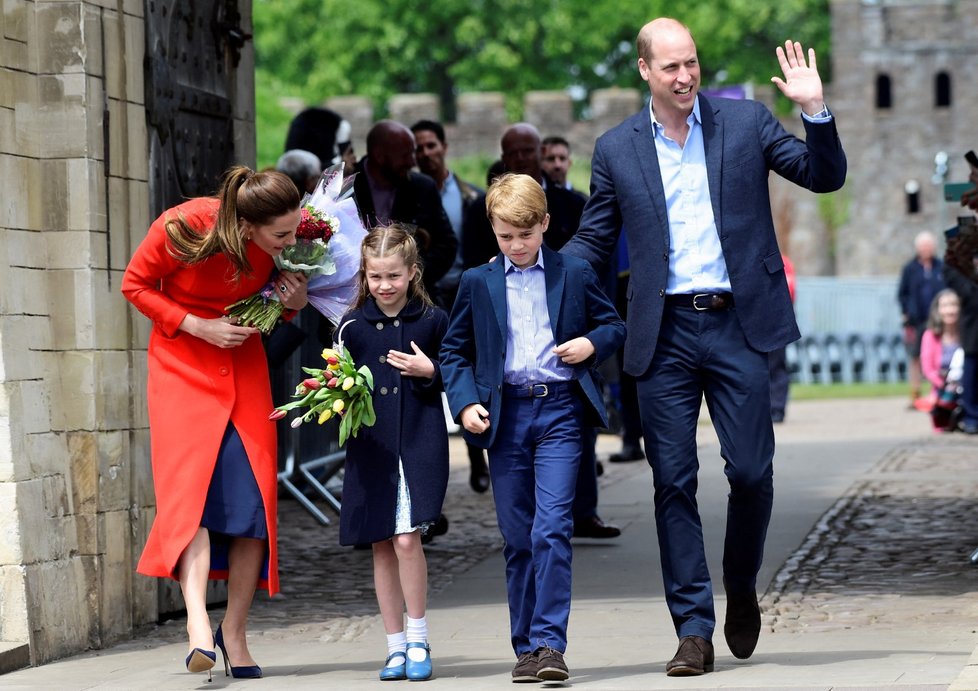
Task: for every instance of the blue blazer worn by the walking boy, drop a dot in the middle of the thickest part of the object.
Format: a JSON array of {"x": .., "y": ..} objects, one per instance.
[{"x": 473, "y": 354}]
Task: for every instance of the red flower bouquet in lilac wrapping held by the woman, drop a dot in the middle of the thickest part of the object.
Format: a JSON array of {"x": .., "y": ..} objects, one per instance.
[{"x": 327, "y": 251}]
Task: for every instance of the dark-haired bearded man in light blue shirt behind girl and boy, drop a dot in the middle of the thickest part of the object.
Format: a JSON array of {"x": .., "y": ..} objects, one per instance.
[{"x": 457, "y": 196}]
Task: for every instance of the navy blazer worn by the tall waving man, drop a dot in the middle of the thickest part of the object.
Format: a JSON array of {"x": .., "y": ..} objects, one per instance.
[{"x": 743, "y": 143}]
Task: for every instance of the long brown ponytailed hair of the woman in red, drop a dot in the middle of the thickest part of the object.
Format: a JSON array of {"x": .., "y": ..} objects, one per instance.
[{"x": 257, "y": 198}]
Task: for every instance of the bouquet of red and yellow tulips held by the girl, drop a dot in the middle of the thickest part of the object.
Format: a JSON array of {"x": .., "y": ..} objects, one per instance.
[{"x": 339, "y": 389}]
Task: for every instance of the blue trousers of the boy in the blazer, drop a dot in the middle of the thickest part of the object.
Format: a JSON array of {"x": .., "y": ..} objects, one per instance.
[{"x": 533, "y": 467}]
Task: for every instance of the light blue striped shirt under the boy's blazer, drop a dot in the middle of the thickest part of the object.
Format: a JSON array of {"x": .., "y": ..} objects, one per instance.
[{"x": 529, "y": 335}]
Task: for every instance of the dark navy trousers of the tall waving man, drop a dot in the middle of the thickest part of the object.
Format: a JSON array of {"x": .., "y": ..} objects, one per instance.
[{"x": 702, "y": 354}]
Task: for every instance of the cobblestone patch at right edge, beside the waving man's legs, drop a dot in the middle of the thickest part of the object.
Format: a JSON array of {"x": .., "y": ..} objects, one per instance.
[{"x": 892, "y": 539}]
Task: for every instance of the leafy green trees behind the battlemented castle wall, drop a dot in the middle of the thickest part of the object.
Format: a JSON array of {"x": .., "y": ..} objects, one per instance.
[{"x": 314, "y": 49}]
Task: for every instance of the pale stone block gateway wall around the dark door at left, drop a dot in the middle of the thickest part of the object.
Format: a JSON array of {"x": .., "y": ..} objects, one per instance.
[{"x": 76, "y": 495}]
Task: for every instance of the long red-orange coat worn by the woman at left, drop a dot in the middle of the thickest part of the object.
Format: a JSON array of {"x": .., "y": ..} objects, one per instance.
[{"x": 194, "y": 388}]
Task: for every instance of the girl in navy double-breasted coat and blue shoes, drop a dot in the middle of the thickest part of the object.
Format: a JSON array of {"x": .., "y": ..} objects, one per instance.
[{"x": 396, "y": 472}]
